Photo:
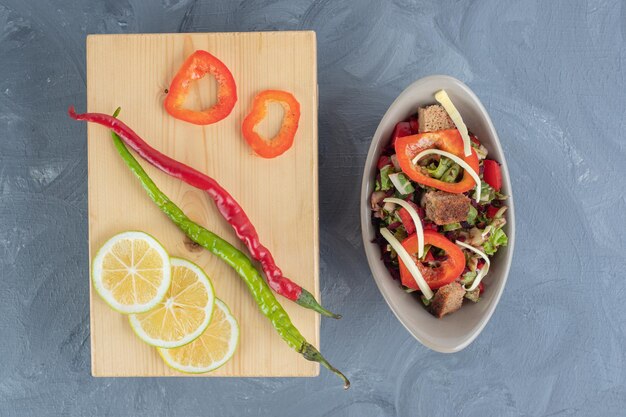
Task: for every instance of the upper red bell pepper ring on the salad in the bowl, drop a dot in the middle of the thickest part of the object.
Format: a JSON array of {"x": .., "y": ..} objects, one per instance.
[{"x": 446, "y": 140}]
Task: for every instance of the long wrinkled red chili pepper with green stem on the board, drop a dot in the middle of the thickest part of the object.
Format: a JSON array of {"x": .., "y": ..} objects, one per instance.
[{"x": 226, "y": 204}]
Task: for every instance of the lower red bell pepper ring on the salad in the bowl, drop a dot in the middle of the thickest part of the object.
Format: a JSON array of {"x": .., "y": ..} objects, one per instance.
[{"x": 449, "y": 269}]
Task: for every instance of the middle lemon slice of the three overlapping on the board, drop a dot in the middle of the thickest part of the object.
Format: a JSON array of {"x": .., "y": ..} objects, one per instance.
[{"x": 183, "y": 314}]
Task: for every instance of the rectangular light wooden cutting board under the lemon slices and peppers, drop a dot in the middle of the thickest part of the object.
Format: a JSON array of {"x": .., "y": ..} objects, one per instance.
[{"x": 279, "y": 195}]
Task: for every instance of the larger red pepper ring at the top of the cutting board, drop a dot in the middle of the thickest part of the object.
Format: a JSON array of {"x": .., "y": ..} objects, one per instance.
[{"x": 196, "y": 66}]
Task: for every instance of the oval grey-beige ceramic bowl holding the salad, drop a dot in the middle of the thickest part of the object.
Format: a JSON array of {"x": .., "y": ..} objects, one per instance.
[{"x": 456, "y": 331}]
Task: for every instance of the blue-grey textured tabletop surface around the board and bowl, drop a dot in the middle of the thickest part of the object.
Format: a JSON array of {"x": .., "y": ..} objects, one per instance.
[{"x": 552, "y": 75}]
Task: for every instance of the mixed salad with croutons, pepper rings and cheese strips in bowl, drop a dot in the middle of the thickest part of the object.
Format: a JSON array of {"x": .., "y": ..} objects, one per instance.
[{"x": 438, "y": 208}]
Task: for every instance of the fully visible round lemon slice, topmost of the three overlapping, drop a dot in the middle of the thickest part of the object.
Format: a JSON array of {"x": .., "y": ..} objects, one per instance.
[{"x": 131, "y": 272}]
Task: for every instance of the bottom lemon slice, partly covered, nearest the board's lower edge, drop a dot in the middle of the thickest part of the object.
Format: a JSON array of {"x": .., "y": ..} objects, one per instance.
[{"x": 211, "y": 350}]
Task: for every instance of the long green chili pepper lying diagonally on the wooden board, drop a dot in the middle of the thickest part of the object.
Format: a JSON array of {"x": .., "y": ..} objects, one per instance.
[{"x": 268, "y": 304}]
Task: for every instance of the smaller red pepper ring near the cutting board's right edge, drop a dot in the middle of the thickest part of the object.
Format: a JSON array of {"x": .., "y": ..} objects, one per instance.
[{"x": 279, "y": 144}]
